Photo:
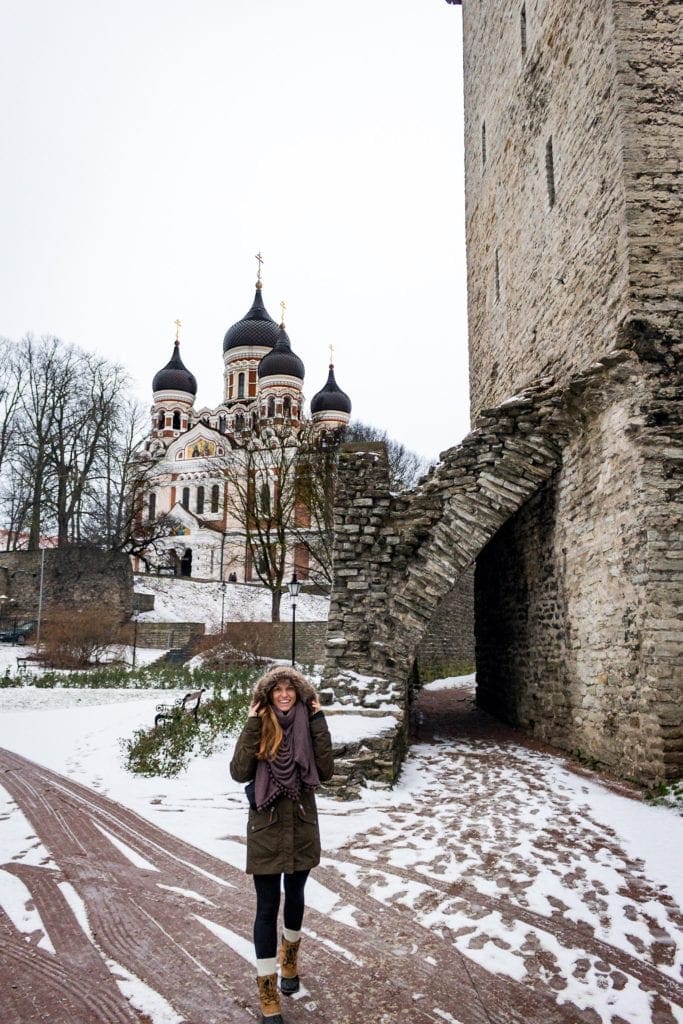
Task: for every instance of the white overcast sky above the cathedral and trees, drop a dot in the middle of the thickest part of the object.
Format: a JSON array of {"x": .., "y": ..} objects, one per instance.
[{"x": 150, "y": 149}]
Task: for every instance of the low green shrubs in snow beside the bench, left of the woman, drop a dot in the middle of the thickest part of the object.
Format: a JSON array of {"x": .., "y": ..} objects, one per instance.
[{"x": 168, "y": 749}]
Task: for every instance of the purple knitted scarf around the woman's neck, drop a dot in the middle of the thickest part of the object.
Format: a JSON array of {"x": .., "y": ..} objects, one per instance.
[{"x": 294, "y": 765}]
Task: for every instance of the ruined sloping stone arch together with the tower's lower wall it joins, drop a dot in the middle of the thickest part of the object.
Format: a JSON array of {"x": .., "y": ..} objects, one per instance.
[{"x": 579, "y": 601}]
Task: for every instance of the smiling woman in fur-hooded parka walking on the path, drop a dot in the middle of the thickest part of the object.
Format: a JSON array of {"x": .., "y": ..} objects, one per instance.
[{"x": 285, "y": 753}]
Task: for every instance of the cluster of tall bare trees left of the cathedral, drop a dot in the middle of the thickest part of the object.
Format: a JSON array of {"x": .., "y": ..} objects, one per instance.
[{"x": 68, "y": 436}]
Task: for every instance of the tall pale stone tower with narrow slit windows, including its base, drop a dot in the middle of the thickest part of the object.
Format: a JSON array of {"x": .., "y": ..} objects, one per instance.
[{"x": 575, "y": 232}]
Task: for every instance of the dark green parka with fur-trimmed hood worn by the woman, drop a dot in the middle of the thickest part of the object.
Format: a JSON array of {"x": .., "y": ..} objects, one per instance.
[{"x": 285, "y": 837}]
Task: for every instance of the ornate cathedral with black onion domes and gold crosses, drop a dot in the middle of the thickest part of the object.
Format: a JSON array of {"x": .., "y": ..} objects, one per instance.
[{"x": 199, "y": 463}]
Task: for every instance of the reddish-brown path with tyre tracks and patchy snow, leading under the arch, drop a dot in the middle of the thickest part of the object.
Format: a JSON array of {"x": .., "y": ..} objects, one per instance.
[{"x": 120, "y": 898}]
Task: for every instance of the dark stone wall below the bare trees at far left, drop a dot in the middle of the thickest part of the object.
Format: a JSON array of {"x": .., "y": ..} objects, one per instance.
[{"x": 76, "y": 578}]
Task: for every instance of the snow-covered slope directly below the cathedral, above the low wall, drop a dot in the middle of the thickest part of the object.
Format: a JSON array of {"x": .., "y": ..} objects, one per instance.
[{"x": 187, "y": 601}]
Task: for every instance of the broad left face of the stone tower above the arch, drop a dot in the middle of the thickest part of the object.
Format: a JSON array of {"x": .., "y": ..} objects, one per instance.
[{"x": 546, "y": 283}]
